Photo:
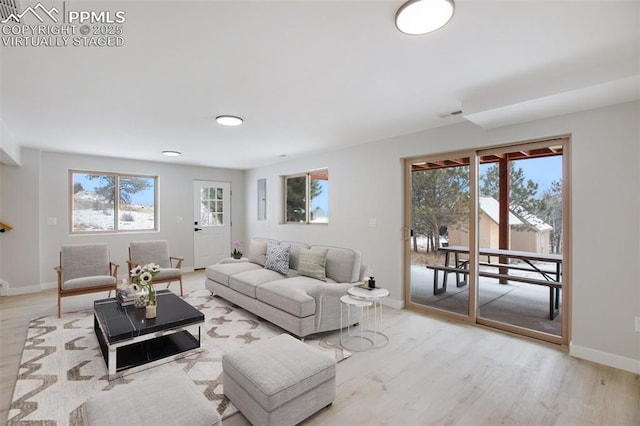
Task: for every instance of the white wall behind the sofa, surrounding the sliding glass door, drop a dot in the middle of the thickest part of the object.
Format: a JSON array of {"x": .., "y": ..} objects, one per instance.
[{"x": 366, "y": 183}]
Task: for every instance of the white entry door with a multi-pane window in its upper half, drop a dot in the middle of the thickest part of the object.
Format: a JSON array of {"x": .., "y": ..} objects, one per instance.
[{"x": 212, "y": 222}]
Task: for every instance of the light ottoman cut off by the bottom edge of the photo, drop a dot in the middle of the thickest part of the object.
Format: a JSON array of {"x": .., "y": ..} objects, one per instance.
[{"x": 166, "y": 399}]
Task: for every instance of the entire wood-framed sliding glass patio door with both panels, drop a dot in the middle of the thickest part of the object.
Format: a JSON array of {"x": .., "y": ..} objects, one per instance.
[{"x": 486, "y": 237}]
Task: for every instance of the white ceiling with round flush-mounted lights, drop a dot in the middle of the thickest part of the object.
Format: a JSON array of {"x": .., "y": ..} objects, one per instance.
[{"x": 311, "y": 76}]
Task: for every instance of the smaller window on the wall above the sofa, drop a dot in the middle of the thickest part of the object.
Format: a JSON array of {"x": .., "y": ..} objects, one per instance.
[{"x": 307, "y": 197}]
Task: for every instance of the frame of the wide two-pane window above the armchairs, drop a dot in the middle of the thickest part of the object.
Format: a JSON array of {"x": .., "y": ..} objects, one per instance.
[{"x": 116, "y": 205}]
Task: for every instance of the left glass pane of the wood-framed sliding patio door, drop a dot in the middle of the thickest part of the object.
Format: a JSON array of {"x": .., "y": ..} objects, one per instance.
[{"x": 439, "y": 218}]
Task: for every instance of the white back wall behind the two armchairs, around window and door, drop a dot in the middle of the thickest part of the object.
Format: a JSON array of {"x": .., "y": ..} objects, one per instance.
[{"x": 39, "y": 190}]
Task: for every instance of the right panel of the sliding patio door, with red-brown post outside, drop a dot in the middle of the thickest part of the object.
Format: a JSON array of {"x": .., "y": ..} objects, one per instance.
[{"x": 520, "y": 238}]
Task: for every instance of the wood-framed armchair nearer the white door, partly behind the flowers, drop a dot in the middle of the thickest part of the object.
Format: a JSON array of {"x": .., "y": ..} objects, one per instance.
[{"x": 143, "y": 252}]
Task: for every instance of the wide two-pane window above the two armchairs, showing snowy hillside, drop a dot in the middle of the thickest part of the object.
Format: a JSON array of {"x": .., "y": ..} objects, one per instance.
[{"x": 96, "y": 208}]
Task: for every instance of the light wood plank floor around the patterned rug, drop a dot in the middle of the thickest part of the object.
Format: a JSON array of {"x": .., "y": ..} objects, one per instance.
[{"x": 433, "y": 372}]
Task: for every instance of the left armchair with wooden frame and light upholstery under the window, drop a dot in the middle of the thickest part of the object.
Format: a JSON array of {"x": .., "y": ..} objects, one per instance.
[{"x": 85, "y": 268}]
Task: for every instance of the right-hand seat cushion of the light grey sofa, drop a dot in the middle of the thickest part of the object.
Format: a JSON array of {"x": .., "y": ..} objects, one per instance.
[{"x": 290, "y": 295}]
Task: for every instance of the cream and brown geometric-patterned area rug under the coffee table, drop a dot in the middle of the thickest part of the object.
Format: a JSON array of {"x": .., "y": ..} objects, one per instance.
[{"x": 62, "y": 366}]
